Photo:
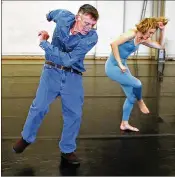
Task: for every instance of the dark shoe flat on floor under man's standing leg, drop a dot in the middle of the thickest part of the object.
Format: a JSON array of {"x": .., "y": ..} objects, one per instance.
[{"x": 71, "y": 158}]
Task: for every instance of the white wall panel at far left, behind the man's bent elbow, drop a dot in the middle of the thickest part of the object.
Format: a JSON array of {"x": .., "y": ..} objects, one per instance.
[{"x": 22, "y": 20}]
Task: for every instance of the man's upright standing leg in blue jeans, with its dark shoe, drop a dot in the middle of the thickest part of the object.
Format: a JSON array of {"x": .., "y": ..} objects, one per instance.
[{"x": 72, "y": 97}]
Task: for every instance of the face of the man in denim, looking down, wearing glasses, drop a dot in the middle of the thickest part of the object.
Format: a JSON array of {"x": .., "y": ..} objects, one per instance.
[{"x": 85, "y": 23}]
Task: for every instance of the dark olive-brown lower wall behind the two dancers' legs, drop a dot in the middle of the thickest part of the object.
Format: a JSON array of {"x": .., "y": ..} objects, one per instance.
[{"x": 103, "y": 97}]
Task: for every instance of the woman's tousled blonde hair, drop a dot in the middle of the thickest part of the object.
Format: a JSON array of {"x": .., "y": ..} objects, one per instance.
[{"x": 150, "y": 23}]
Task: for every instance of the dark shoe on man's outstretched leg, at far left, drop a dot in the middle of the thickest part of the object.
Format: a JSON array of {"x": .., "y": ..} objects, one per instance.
[{"x": 20, "y": 146}]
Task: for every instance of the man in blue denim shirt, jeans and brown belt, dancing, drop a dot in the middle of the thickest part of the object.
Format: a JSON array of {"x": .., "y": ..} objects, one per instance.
[{"x": 73, "y": 37}]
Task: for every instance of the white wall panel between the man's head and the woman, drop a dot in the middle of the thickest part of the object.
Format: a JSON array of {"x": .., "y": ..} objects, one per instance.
[{"x": 110, "y": 24}]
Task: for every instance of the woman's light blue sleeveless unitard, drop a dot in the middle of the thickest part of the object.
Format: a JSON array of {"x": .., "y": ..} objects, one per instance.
[{"x": 131, "y": 86}]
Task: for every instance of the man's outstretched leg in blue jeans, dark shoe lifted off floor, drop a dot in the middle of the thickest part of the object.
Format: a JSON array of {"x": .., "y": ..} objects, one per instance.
[{"x": 45, "y": 95}]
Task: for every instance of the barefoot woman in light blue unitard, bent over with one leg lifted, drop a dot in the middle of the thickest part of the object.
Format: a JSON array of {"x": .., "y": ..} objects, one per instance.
[{"x": 117, "y": 69}]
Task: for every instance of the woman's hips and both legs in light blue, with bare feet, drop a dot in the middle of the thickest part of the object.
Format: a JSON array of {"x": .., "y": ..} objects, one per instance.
[{"x": 133, "y": 90}]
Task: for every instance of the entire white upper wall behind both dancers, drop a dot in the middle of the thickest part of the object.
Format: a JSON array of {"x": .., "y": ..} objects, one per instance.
[{"x": 21, "y": 21}]
